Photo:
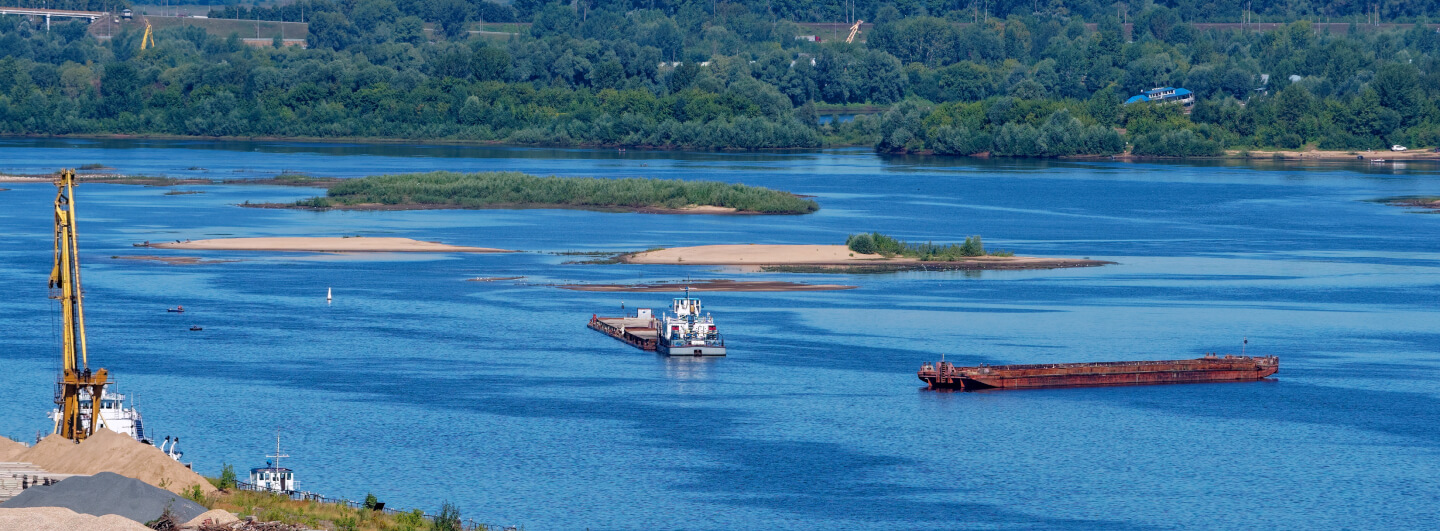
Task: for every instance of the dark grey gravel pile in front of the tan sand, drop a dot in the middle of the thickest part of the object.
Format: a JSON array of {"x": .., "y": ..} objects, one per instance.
[{"x": 109, "y": 493}]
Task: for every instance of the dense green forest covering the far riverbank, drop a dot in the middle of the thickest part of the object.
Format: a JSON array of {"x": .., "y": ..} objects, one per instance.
[{"x": 1009, "y": 80}]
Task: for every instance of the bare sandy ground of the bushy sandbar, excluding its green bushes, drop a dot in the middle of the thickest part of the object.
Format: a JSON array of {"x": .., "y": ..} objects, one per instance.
[{"x": 834, "y": 257}]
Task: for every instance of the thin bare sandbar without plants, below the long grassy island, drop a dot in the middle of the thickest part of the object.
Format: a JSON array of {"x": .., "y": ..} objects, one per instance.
[{"x": 329, "y": 245}]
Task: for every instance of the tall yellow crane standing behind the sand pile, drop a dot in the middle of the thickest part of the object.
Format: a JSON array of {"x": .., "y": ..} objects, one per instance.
[{"x": 77, "y": 378}]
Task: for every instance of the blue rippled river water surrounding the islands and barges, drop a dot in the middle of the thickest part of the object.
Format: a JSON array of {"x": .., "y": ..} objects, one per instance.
[{"x": 423, "y": 388}]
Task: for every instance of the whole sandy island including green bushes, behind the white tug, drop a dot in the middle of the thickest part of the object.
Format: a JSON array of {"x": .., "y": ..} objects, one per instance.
[{"x": 863, "y": 254}]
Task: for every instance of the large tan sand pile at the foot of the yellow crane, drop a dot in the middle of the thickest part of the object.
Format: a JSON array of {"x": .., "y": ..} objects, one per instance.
[{"x": 113, "y": 453}]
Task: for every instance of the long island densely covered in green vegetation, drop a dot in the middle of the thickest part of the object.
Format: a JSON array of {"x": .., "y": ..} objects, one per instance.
[{"x": 518, "y": 191}]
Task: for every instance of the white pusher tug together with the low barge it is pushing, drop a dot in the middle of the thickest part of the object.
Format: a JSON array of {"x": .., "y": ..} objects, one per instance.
[{"x": 685, "y": 333}]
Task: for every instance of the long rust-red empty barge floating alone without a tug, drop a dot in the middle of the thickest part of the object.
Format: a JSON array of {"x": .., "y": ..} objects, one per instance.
[{"x": 1110, "y": 373}]
